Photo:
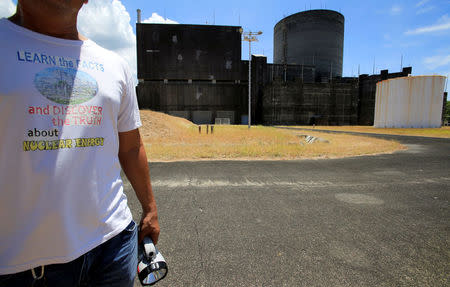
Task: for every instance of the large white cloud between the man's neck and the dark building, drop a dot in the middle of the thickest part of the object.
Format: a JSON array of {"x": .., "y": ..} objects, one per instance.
[{"x": 107, "y": 23}]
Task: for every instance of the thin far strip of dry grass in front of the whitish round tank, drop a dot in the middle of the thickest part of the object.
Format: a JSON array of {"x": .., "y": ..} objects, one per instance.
[{"x": 443, "y": 132}]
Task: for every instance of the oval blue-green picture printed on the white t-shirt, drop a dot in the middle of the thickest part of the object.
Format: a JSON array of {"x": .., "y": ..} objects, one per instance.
[{"x": 66, "y": 86}]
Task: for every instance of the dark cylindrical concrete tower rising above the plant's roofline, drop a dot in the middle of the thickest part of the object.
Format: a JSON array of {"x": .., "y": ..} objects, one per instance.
[{"x": 314, "y": 37}]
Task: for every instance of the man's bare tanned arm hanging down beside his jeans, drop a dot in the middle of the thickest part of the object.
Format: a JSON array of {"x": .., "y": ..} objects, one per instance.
[{"x": 133, "y": 160}]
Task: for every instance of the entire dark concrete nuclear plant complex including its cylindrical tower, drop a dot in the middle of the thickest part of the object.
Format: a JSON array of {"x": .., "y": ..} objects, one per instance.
[{"x": 196, "y": 72}]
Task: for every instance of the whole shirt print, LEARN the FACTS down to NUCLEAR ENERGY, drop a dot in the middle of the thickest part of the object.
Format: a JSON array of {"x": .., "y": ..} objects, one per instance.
[{"x": 68, "y": 84}]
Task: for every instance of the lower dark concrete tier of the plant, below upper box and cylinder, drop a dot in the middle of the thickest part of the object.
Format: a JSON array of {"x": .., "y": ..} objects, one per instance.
[{"x": 343, "y": 101}]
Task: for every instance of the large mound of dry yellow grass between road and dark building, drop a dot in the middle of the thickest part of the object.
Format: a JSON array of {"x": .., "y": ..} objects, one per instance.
[{"x": 170, "y": 138}]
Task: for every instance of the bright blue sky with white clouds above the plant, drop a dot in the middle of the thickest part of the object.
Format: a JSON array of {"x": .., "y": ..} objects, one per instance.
[{"x": 385, "y": 34}]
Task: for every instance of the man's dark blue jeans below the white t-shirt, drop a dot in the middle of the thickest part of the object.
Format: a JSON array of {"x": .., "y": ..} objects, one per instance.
[{"x": 113, "y": 263}]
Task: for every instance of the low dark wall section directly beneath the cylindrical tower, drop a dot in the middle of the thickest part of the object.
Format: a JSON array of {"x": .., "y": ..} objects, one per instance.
[{"x": 333, "y": 103}]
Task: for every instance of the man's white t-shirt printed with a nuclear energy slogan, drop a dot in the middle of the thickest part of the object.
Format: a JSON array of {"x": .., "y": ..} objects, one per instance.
[{"x": 62, "y": 104}]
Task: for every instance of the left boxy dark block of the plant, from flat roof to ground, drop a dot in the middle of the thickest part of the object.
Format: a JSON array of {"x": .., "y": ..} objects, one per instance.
[{"x": 191, "y": 71}]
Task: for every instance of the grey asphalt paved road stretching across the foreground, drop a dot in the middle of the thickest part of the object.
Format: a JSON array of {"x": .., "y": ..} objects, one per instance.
[{"x": 364, "y": 221}]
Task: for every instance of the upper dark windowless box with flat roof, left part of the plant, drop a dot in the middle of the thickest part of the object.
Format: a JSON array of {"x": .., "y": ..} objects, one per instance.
[{"x": 181, "y": 52}]
